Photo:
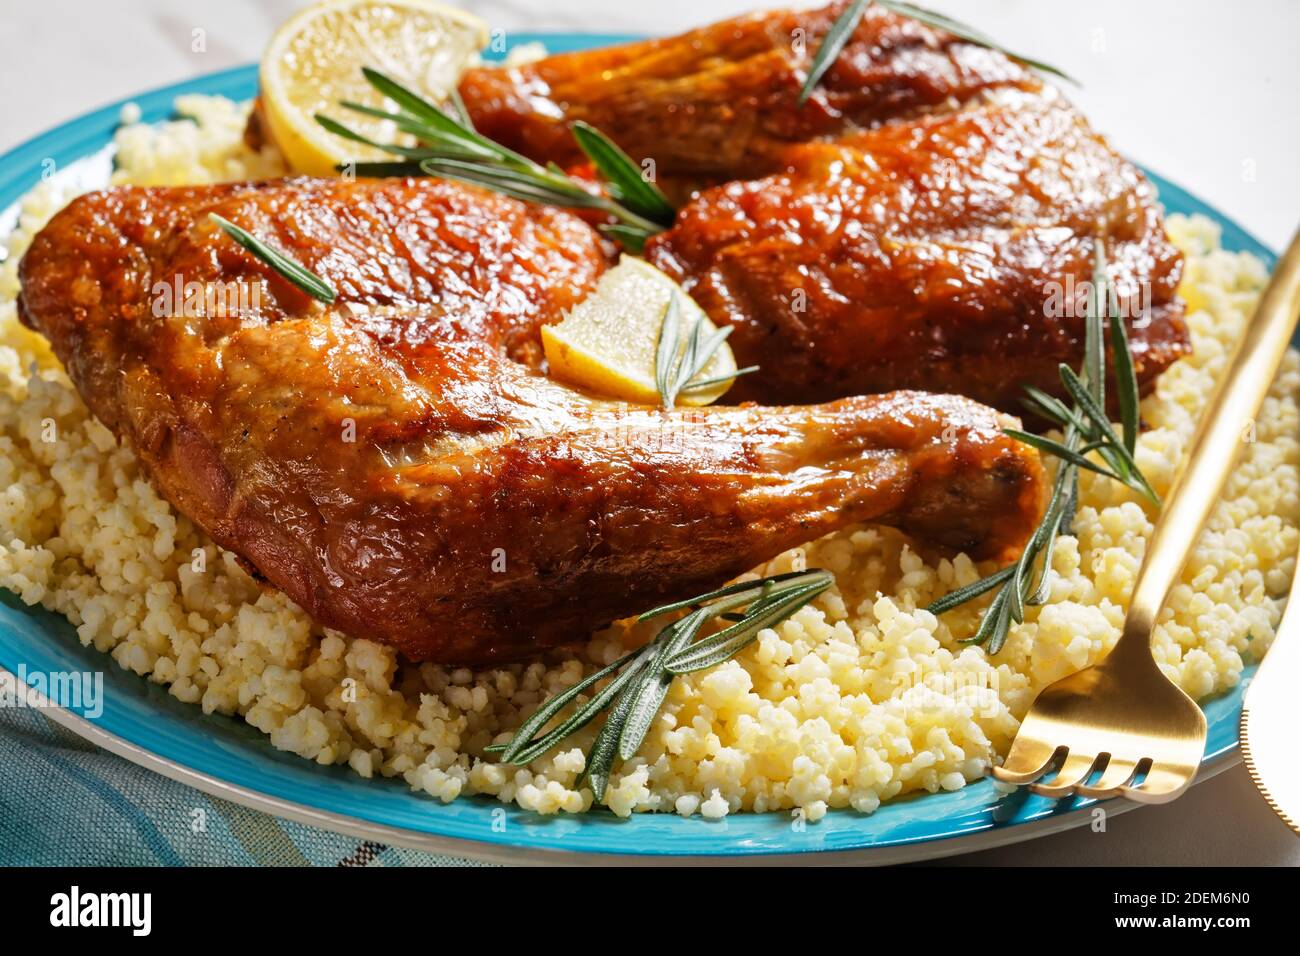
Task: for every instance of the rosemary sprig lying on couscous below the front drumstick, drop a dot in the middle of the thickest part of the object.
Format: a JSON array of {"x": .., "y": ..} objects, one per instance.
[{"x": 639, "y": 682}]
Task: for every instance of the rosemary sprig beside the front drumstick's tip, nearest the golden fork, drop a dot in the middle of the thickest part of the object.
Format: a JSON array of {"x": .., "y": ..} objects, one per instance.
[{"x": 1086, "y": 430}]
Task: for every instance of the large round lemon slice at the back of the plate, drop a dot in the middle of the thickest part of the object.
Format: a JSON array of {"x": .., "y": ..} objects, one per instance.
[{"x": 317, "y": 58}]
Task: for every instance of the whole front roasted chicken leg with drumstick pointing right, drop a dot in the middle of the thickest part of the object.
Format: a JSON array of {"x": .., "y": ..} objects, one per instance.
[{"x": 396, "y": 466}]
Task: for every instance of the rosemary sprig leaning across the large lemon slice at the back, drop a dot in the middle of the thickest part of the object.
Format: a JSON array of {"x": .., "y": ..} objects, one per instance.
[{"x": 450, "y": 148}]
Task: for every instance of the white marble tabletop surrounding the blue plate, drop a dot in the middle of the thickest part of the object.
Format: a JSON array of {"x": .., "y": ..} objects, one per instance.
[{"x": 1199, "y": 90}]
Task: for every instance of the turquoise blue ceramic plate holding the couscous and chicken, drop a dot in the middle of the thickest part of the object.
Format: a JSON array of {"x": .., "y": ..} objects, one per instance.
[{"x": 229, "y": 759}]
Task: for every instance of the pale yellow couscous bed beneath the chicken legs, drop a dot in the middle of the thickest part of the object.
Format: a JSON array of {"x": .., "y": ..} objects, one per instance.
[{"x": 857, "y": 699}]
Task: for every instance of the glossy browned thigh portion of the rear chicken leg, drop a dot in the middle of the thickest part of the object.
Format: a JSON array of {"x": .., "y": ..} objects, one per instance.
[{"x": 951, "y": 254}]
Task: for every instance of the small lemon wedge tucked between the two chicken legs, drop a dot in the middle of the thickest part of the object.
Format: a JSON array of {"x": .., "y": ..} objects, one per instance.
[{"x": 609, "y": 341}]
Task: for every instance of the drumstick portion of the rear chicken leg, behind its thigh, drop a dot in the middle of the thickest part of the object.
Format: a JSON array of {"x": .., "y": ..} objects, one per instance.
[{"x": 722, "y": 101}]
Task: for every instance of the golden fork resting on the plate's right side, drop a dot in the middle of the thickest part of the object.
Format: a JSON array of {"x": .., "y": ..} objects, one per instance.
[{"x": 1124, "y": 717}]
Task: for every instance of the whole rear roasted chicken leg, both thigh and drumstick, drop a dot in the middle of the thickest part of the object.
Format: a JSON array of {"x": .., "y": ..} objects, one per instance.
[{"x": 928, "y": 220}]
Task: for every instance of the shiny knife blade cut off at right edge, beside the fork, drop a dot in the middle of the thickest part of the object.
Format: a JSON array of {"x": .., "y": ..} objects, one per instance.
[{"x": 1271, "y": 719}]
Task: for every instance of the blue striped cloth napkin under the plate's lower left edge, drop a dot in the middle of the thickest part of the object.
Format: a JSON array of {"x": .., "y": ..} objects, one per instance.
[{"x": 64, "y": 802}]
